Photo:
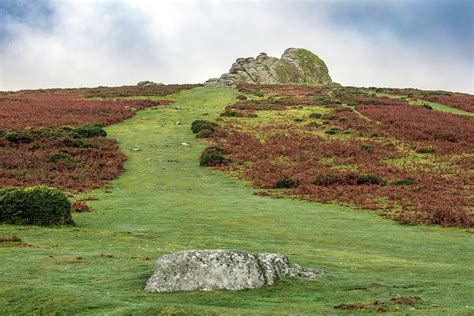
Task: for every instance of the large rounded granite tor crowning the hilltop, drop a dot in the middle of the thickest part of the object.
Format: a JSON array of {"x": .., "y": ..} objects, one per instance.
[{"x": 296, "y": 65}]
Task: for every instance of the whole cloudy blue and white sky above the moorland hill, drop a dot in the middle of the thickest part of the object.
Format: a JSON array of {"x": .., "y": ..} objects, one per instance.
[{"x": 425, "y": 44}]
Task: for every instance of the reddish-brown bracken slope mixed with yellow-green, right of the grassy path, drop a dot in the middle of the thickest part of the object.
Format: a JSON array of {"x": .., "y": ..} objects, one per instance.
[{"x": 320, "y": 142}]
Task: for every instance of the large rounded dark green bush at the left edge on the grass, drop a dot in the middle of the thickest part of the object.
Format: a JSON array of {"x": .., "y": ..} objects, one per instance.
[{"x": 38, "y": 205}]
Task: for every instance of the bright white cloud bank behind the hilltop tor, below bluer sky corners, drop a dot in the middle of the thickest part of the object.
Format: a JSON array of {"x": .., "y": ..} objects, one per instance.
[{"x": 117, "y": 43}]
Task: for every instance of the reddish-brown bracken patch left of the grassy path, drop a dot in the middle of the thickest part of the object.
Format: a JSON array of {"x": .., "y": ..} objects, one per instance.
[{"x": 56, "y": 137}]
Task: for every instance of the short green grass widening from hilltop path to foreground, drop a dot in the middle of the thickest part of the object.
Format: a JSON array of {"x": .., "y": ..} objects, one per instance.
[{"x": 165, "y": 202}]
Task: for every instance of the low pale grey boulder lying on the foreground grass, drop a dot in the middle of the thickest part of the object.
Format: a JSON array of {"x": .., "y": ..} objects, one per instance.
[{"x": 208, "y": 270}]
